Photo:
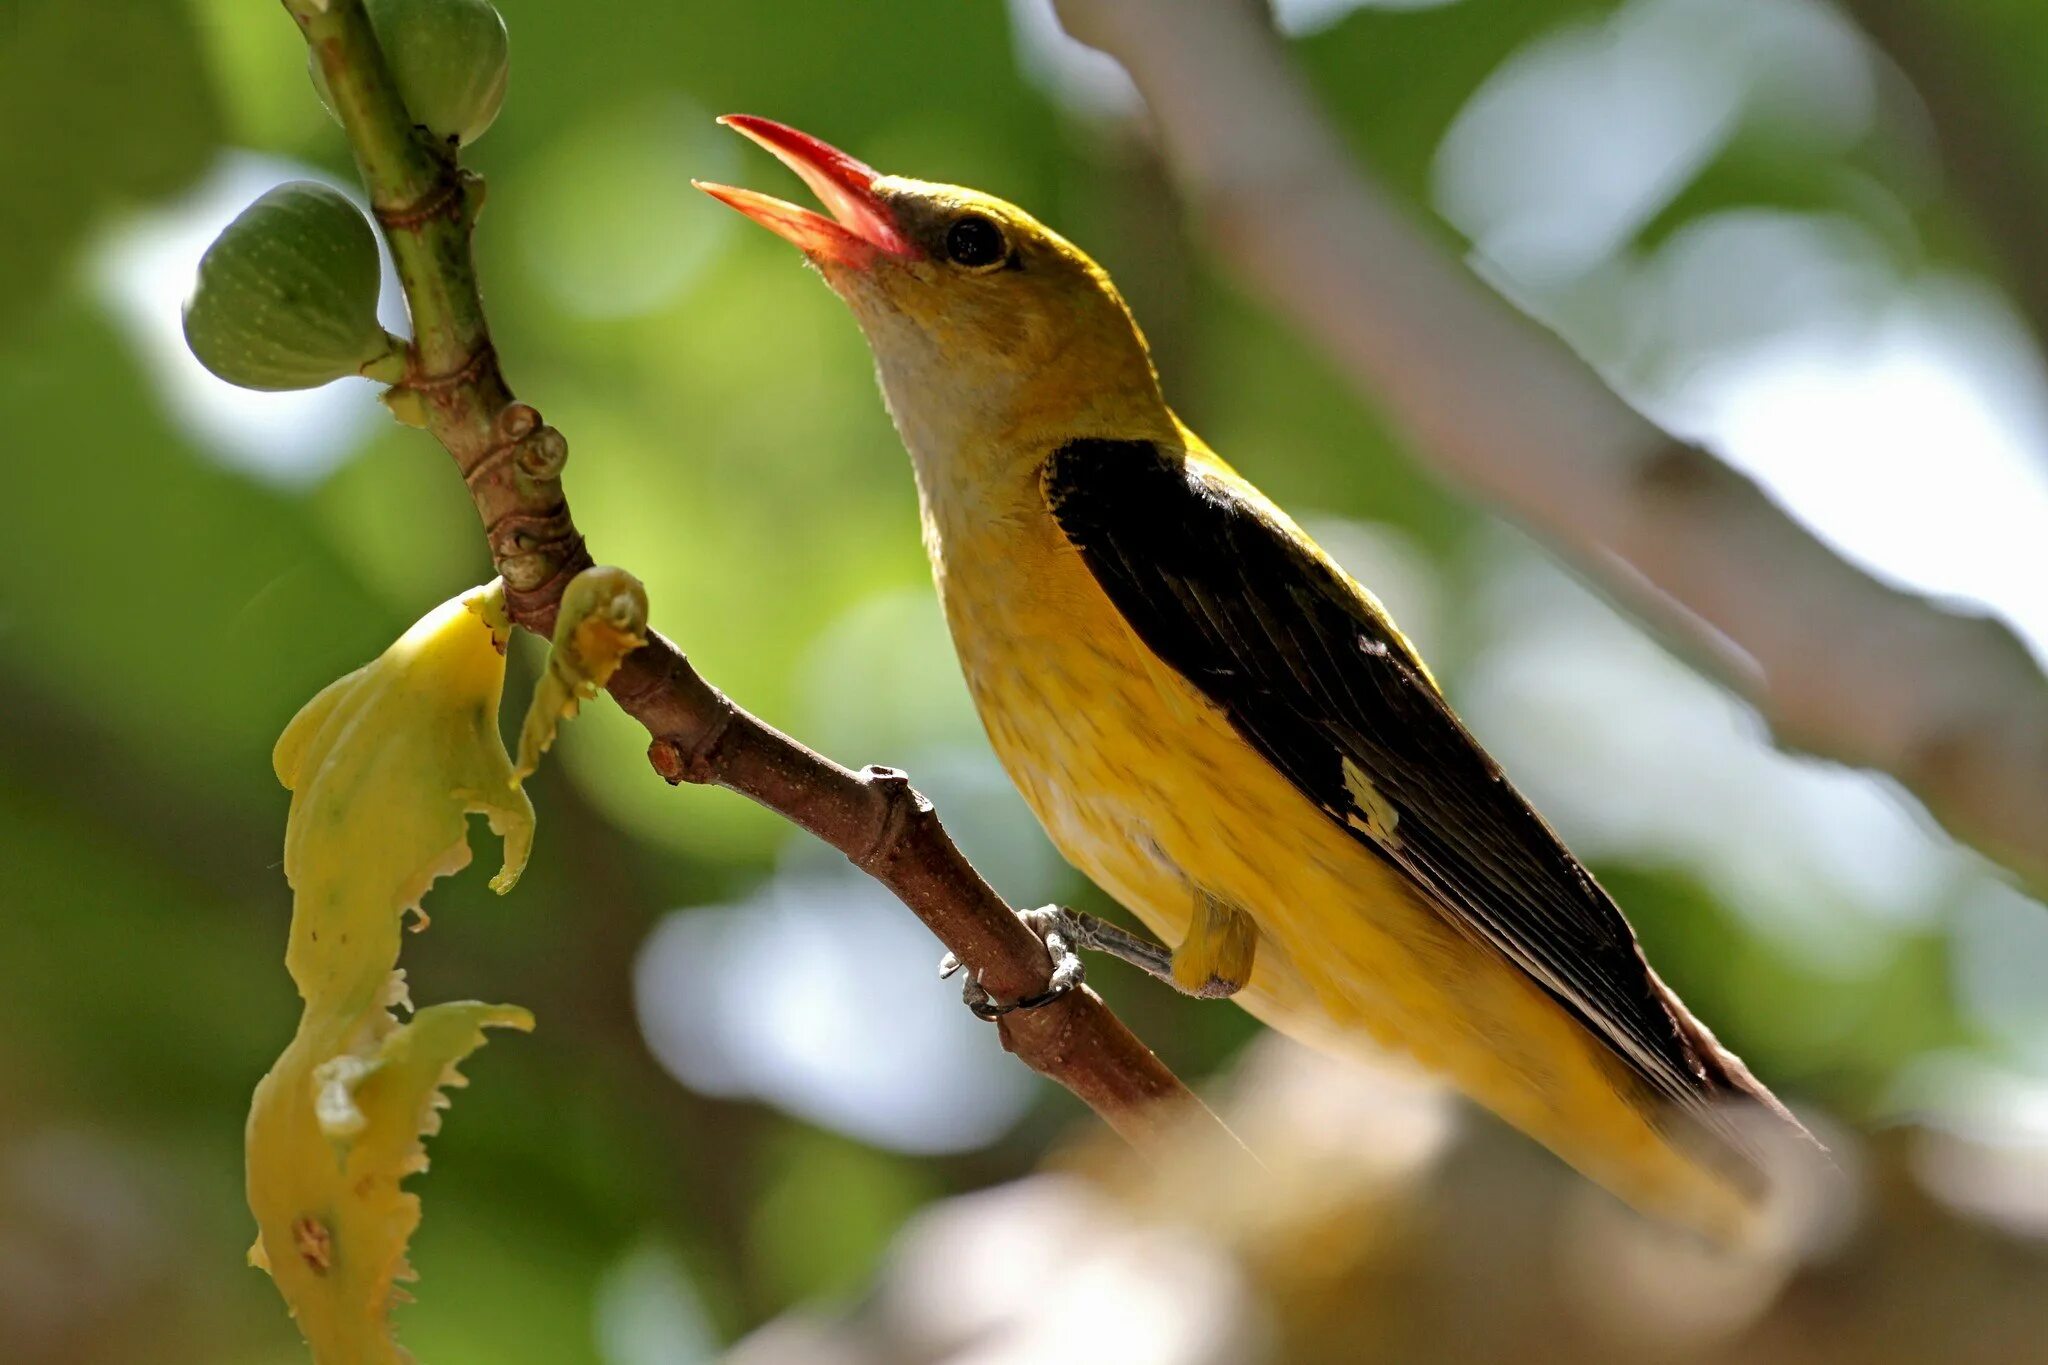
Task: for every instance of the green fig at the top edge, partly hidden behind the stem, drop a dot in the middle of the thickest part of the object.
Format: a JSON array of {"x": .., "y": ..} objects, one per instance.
[{"x": 450, "y": 60}]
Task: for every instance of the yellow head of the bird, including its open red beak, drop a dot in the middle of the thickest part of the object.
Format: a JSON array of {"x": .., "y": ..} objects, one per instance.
[{"x": 994, "y": 337}]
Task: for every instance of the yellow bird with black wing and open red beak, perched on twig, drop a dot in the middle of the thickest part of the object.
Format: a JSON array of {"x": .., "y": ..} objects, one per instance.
[{"x": 1226, "y": 732}]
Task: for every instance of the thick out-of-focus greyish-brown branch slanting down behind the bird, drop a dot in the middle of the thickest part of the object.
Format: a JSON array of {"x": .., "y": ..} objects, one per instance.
[{"x": 1836, "y": 662}]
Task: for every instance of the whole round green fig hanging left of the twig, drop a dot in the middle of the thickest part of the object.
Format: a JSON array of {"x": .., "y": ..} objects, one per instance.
[{"x": 288, "y": 294}]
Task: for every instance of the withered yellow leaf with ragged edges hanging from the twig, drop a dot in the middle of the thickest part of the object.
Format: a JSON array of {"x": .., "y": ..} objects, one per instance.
[{"x": 384, "y": 768}]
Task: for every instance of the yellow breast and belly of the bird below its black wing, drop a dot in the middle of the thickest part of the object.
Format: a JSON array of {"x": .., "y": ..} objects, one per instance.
[{"x": 1150, "y": 791}]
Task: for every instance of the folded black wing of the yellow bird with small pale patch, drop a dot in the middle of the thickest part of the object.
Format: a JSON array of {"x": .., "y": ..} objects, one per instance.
[{"x": 1328, "y": 691}]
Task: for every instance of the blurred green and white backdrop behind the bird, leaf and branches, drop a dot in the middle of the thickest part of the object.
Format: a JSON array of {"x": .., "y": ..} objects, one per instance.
[{"x": 1748, "y": 214}]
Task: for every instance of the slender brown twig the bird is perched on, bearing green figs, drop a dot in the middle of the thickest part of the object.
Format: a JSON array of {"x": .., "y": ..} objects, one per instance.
[{"x": 513, "y": 468}]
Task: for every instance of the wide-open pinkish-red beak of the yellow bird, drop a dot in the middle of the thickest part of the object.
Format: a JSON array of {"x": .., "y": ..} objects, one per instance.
[{"x": 861, "y": 226}]
